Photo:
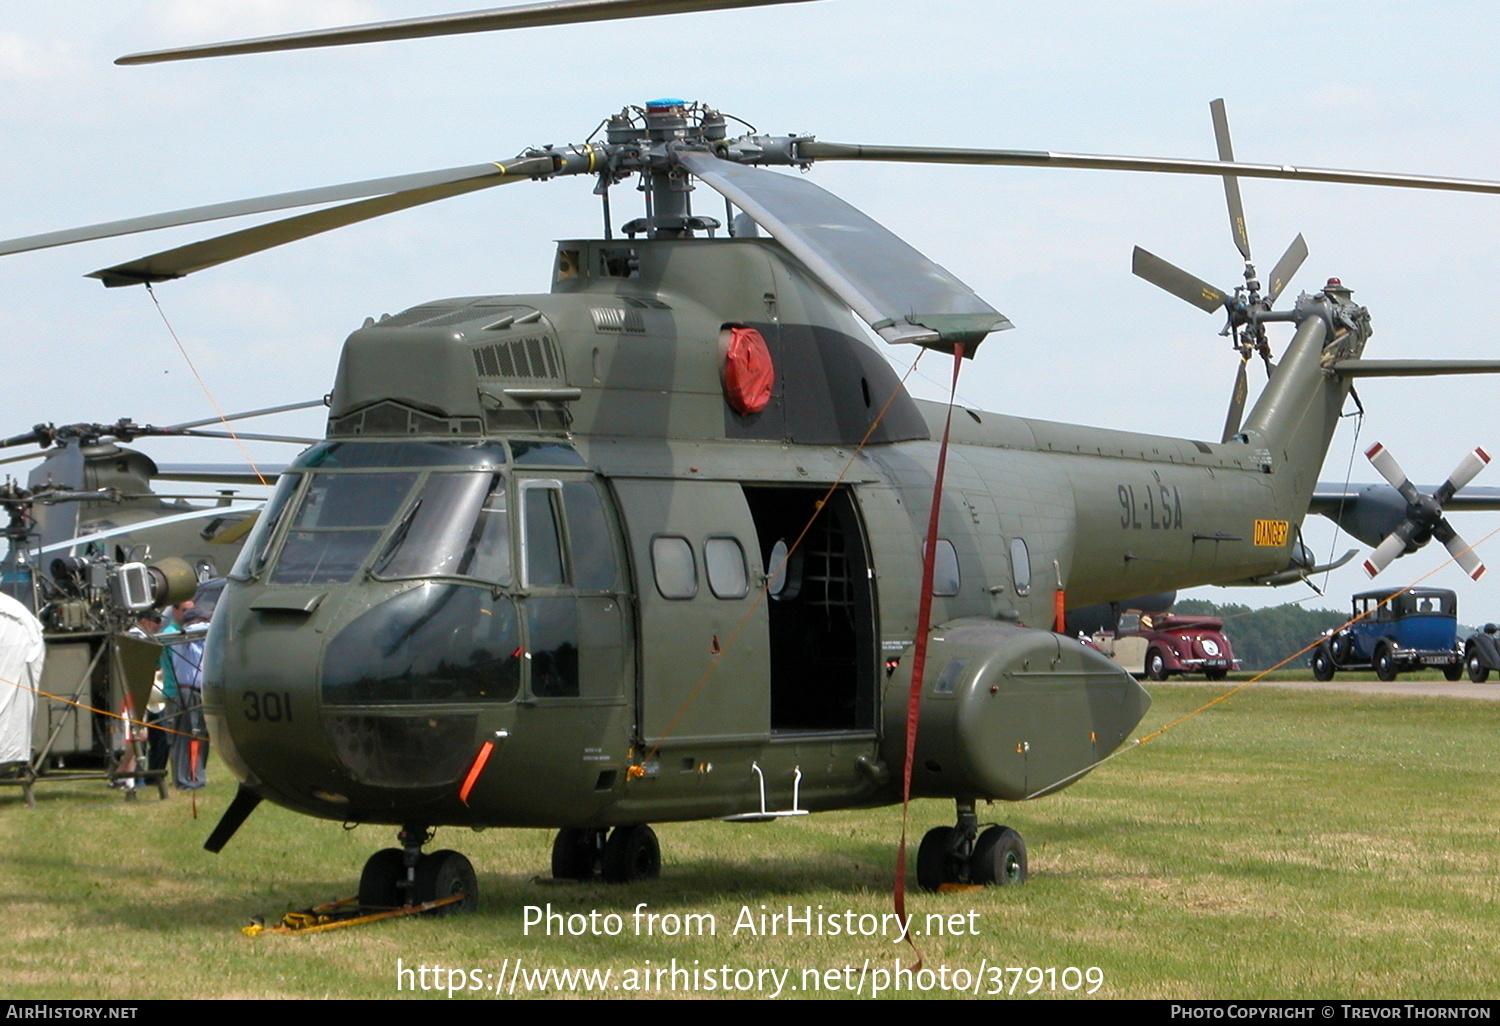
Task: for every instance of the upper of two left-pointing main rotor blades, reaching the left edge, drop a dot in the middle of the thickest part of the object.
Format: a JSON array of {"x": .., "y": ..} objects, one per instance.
[{"x": 260, "y": 205}]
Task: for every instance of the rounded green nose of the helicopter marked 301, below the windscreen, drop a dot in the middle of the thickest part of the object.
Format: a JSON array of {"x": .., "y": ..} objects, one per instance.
[{"x": 346, "y": 704}]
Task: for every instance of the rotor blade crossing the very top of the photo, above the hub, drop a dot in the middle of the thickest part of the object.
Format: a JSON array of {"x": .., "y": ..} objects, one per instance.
[{"x": 530, "y": 16}]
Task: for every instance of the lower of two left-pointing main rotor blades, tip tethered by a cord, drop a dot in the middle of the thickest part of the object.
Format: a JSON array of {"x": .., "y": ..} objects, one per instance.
[{"x": 194, "y": 257}]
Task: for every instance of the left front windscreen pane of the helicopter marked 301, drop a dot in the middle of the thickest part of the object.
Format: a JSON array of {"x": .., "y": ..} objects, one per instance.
[{"x": 337, "y": 524}]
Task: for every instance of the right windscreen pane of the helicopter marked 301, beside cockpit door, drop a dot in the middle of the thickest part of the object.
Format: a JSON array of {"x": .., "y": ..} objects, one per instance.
[{"x": 457, "y": 527}]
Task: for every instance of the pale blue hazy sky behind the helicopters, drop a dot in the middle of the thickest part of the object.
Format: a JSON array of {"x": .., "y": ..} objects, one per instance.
[{"x": 1375, "y": 86}]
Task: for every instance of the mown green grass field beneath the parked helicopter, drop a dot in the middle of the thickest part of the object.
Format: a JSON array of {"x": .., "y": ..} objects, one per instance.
[{"x": 1282, "y": 845}]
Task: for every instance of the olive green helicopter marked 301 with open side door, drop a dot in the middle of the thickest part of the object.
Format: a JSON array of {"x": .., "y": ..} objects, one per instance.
[{"x": 653, "y": 545}]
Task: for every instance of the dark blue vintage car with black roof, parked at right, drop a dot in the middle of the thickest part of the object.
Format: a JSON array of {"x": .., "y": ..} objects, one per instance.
[{"x": 1396, "y": 631}]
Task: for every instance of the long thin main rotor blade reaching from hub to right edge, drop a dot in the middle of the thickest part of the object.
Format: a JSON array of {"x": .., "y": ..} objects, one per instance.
[{"x": 815, "y": 151}]
